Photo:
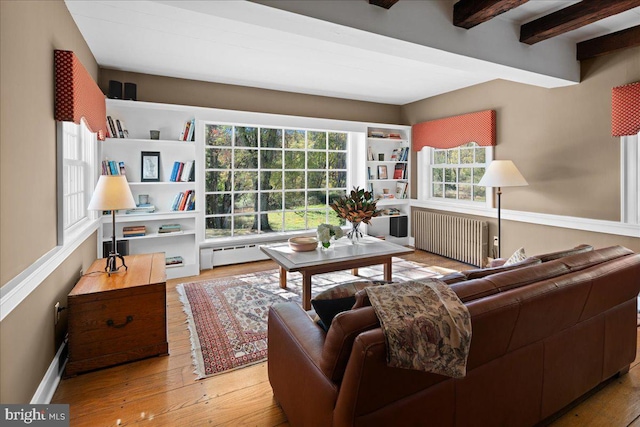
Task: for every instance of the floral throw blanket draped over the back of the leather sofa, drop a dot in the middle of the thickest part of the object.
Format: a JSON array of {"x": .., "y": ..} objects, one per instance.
[{"x": 426, "y": 326}]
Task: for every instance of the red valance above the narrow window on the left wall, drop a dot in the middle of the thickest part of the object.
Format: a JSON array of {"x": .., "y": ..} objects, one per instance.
[{"x": 77, "y": 96}]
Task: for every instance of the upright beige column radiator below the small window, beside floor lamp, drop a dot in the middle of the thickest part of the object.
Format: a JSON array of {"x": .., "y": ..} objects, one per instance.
[{"x": 459, "y": 238}]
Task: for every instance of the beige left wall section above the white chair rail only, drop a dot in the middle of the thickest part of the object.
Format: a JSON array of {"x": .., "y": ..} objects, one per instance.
[{"x": 30, "y": 30}]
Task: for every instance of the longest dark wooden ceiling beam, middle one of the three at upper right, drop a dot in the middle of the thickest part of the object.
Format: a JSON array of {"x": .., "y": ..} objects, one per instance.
[{"x": 572, "y": 17}]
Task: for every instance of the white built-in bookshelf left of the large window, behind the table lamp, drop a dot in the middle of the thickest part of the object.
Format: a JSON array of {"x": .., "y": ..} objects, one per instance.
[{"x": 140, "y": 118}]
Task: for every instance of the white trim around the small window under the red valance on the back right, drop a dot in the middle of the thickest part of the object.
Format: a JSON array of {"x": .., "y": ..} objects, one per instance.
[{"x": 424, "y": 185}]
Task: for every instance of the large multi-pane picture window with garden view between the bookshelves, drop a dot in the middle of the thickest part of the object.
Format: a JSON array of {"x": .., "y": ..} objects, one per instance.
[{"x": 271, "y": 179}]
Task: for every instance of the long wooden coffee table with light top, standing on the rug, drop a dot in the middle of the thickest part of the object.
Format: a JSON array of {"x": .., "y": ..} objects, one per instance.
[{"x": 342, "y": 256}]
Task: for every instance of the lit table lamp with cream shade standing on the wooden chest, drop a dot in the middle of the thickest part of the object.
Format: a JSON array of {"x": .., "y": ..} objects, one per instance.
[{"x": 111, "y": 194}]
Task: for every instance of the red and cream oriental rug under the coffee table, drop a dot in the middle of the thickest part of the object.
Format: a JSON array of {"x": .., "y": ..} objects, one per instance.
[{"x": 227, "y": 317}]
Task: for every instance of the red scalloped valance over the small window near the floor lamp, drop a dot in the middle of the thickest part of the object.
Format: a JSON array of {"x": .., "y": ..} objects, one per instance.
[{"x": 479, "y": 127}]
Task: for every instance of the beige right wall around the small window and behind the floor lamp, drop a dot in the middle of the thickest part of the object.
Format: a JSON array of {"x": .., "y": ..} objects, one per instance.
[{"x": 561, "y": 141}]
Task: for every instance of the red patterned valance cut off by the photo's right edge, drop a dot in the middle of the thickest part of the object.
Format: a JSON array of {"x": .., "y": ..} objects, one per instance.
[{"x": 625, "y": 109}]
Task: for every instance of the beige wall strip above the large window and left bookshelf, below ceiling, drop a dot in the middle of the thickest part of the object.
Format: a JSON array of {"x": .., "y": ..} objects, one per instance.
[{"x": 170, "y": 90}]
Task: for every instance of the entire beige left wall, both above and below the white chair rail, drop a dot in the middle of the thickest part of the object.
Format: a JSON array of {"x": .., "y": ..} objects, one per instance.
[{"x": 29, "y": 32}]
